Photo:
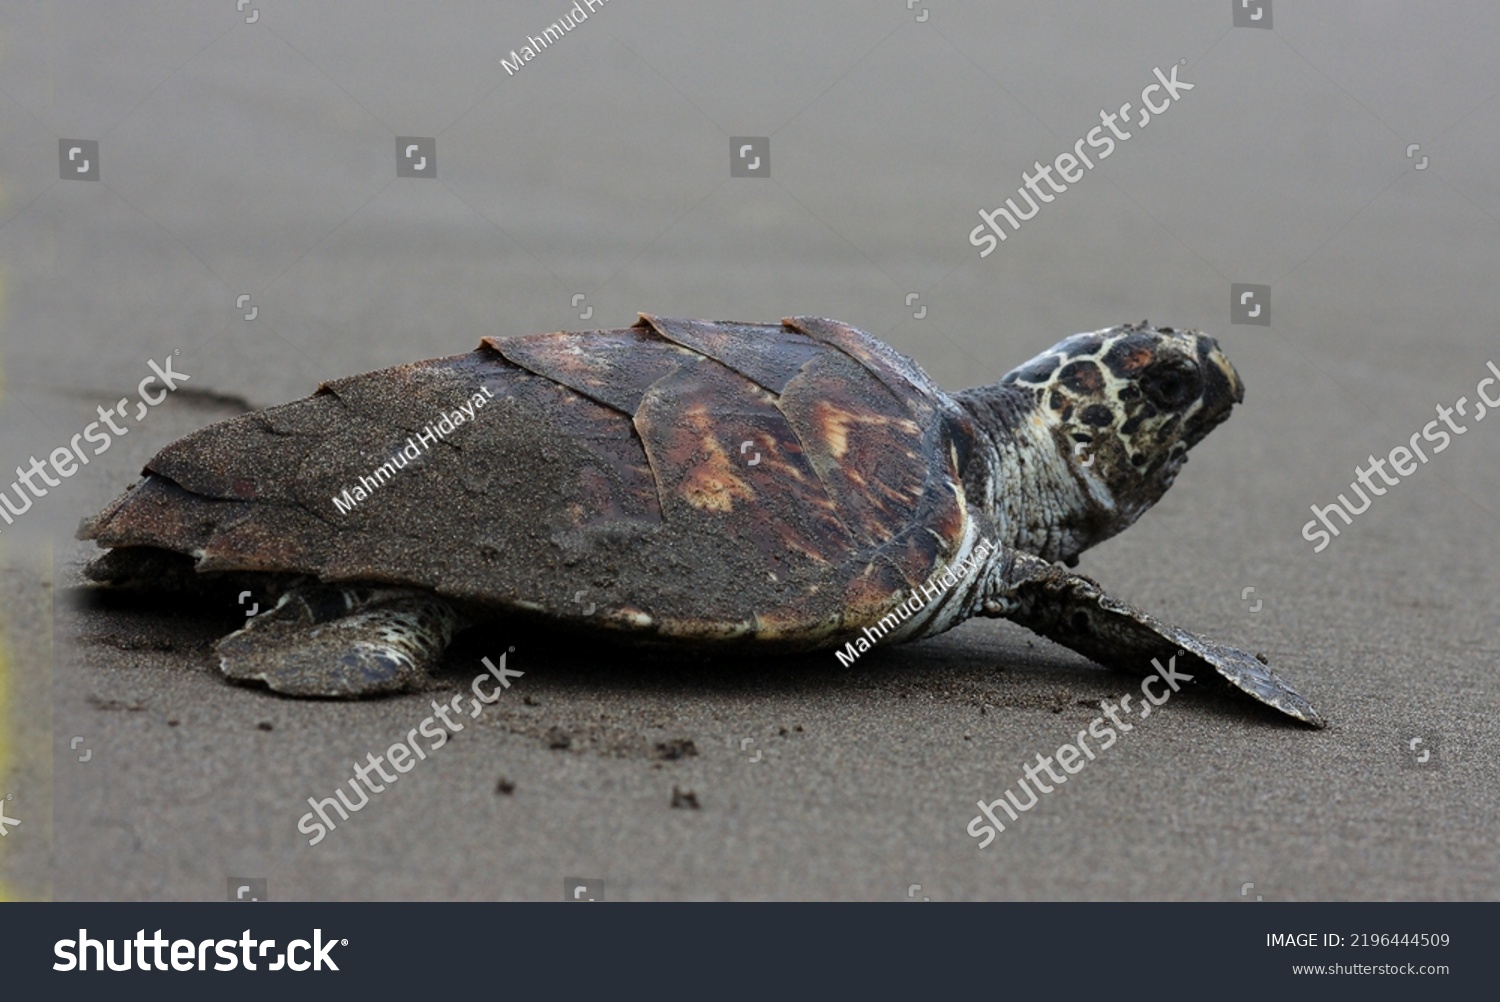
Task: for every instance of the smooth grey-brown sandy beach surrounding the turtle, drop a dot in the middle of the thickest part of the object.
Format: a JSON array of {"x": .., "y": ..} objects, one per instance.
[{"x": 254, "y": 221}]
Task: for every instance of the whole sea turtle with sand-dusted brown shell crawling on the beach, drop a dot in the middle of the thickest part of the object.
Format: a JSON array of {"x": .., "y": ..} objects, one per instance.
[{"x": 700, "y": 484}]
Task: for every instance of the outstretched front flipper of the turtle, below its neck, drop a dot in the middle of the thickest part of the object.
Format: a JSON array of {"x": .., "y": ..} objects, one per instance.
[{"x": 1075, "y": 611}]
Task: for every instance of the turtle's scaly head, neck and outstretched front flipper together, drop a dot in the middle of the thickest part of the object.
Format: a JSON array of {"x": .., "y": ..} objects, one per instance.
[{"x": 1142, "y": 400}]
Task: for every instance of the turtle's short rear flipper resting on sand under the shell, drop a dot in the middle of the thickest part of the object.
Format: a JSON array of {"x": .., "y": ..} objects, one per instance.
[{"x": 341, "y": 641}]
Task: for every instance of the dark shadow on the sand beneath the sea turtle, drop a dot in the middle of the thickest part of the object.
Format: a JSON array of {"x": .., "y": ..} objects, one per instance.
[{"x": 989, "y": 670}]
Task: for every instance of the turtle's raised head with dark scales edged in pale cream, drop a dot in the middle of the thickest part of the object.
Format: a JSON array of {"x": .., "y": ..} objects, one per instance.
[{"x": 1114, "y": 415}]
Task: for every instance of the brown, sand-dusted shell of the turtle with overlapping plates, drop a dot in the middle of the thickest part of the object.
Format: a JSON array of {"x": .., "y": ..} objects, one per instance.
[{"x": 689, "y": 479}]
